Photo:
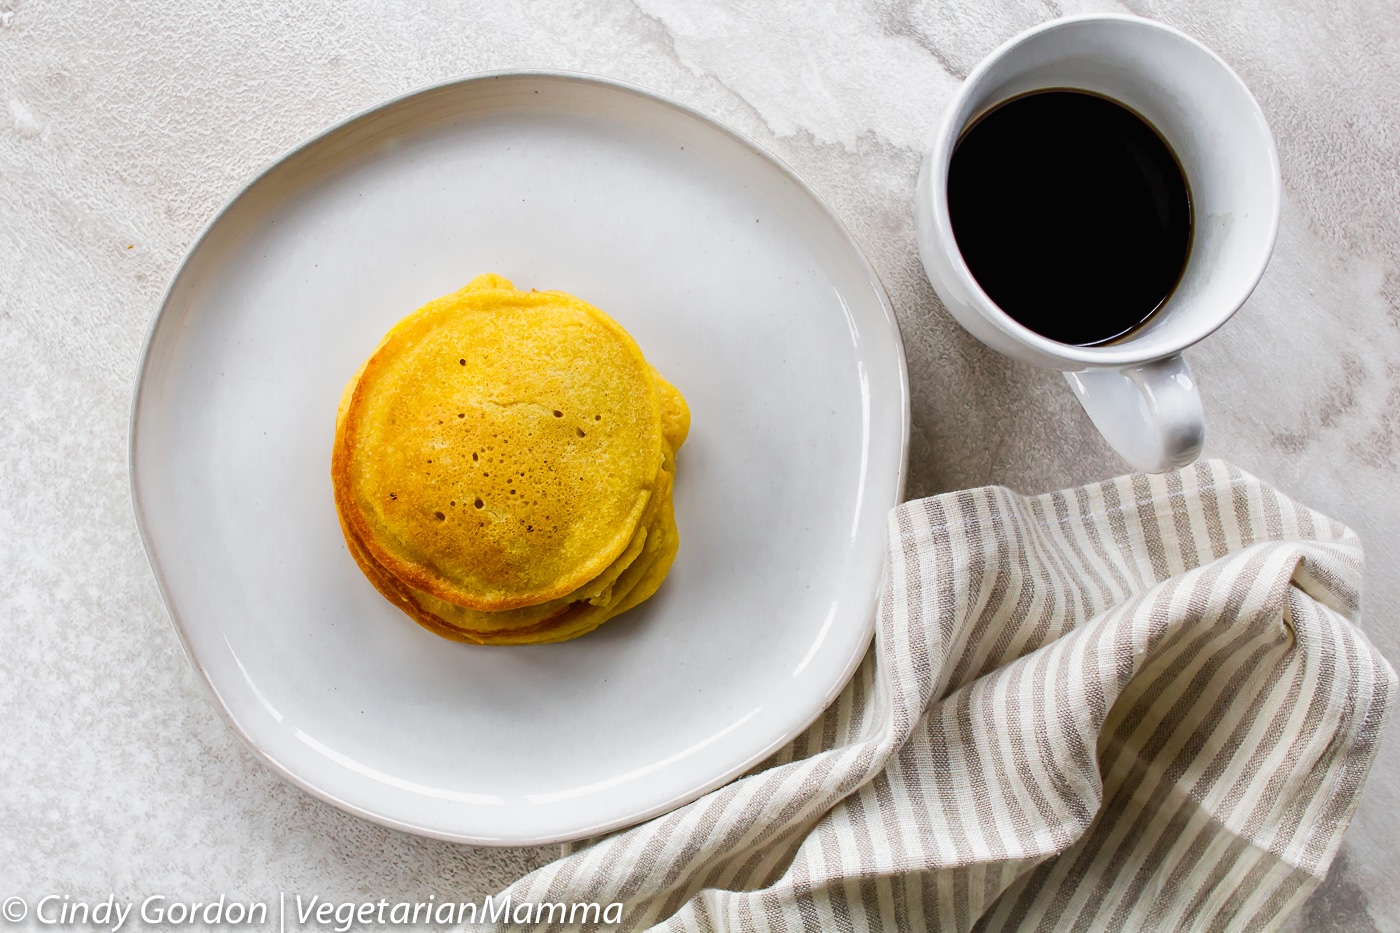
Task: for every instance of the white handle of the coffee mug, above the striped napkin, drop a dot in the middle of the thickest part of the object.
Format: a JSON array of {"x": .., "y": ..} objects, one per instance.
[{"x": 1151, "y": 414}]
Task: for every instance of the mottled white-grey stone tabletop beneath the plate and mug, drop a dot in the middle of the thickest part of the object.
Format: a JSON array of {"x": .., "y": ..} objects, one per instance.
[{"x": 125, "y": 127}]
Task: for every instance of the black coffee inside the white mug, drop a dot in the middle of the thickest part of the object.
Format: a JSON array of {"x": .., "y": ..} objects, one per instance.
[{"x": 1072, "y": 212}]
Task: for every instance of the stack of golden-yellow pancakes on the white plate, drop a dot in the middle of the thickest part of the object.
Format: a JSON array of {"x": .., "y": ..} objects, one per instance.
[{"x": 503, "y": 467}]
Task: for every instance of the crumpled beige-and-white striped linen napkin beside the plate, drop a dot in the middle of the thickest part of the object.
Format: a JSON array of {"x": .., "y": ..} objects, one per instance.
[{"x": 1139, "y": 705}]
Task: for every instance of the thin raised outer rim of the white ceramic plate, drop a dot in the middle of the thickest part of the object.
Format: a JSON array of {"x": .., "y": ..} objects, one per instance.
[{"x": 369, "y": 113}]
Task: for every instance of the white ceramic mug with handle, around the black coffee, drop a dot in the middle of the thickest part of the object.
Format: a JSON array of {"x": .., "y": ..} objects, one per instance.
[{"x": 1139, "y": 390}]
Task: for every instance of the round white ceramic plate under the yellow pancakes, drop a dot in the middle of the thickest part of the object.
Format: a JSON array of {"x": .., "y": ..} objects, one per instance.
[{"x": 738, "y": 284}]
